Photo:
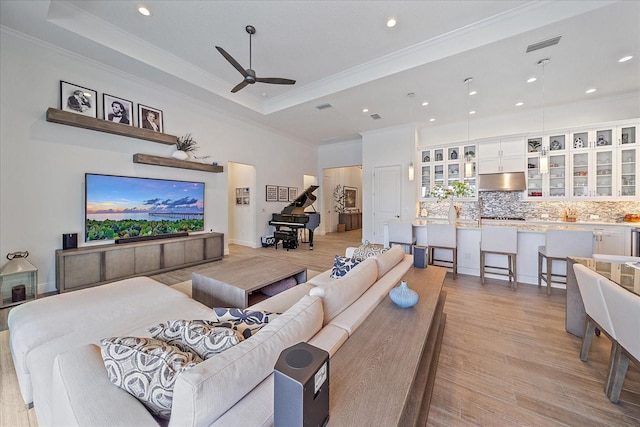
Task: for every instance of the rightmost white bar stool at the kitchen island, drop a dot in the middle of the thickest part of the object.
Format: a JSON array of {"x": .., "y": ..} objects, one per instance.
[{"x": 560, "y": 244}]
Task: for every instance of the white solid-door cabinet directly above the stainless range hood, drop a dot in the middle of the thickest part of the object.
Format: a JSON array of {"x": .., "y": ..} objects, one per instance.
[{"x": 502, "y": 155}]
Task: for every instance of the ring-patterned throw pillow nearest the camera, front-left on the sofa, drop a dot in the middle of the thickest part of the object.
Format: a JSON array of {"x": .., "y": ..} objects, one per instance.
[{"x": 147, "y": 369}]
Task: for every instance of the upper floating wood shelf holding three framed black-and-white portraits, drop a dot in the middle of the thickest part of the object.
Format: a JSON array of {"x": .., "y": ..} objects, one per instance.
[{"x": 78, "y": 120}]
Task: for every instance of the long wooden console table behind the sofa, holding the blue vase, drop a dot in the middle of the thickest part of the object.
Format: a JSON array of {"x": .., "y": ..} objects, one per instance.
[{"x": 396, "y": 370}]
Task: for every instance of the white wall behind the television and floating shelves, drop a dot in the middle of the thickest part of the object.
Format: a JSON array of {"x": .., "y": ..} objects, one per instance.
[{"x": 42, "y": 164}]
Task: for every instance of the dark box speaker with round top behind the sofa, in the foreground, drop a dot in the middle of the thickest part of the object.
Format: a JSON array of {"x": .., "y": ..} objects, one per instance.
[{"x": 301, "y": 387}]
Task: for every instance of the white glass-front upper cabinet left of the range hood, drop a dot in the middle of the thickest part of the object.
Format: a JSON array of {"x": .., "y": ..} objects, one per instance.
[{"x": 442, "y": 166}]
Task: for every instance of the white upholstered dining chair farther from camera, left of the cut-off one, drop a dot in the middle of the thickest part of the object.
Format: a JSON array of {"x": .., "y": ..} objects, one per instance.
[{"x": 597, "y": 315}]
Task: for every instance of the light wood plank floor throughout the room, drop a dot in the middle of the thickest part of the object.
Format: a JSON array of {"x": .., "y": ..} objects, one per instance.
[{"x": 505, "y": 360}]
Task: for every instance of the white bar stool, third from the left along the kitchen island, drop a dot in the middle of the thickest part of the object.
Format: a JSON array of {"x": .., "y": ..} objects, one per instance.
[{"x": 500, "y": 241}]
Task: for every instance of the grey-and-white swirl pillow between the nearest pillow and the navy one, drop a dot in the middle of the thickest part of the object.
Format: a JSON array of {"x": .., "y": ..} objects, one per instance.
[{"x": 197, "y": 336}]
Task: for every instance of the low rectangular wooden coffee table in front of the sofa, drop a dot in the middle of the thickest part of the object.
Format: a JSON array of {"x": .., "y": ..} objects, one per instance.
[{"x": 229, "y": 285}]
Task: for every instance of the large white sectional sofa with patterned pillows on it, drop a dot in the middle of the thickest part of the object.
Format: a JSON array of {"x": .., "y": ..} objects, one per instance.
[{"x": 54, "y": 343}]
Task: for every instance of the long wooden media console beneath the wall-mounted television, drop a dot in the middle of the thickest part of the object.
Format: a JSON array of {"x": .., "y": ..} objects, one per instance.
[{"x": 96, "y": 265}]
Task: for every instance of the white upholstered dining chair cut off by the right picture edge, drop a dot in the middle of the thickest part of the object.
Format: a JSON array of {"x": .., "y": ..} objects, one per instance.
[{"x": 624, "y": 308}]
